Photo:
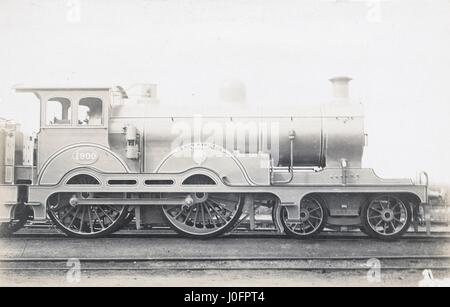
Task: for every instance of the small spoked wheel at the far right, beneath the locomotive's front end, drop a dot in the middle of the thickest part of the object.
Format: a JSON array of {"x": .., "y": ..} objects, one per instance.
[{"x": 386, "y": 217}]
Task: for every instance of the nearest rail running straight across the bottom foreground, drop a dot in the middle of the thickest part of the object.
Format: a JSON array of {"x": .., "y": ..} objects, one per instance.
[{"x": 323, "y": 264}]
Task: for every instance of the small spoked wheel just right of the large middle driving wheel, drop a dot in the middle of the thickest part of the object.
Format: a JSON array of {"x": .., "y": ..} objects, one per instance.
[{"x": 313, "y": 217}]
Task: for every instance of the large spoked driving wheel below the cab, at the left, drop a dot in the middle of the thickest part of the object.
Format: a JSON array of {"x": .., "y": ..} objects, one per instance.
[{"x": 84, "y": 221}]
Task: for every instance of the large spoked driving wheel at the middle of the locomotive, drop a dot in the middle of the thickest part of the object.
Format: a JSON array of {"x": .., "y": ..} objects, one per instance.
[{"x": 210, "y": 214}]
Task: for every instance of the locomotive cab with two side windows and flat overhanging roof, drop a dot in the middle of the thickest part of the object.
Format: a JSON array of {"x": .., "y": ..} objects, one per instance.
[{"x": 70, "y": 116}]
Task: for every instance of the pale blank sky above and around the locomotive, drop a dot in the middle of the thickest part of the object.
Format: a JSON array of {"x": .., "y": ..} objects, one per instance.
[{"x": 397, "y": 52}]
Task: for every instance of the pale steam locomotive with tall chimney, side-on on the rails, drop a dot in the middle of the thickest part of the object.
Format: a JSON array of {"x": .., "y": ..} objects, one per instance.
[{"x": 91, "y": 179}]
